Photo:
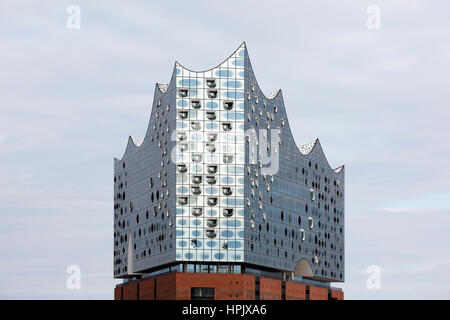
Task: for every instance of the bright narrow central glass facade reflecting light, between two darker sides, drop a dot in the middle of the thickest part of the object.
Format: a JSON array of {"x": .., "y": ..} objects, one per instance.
[{"x": 210, "y": 162}]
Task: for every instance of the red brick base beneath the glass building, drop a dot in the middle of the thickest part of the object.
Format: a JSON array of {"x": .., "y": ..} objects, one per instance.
[{"x": 177, "y": 286}]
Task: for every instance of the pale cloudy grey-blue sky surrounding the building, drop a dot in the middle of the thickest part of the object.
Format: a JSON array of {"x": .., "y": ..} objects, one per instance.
[{"x": 378, "y": 99}]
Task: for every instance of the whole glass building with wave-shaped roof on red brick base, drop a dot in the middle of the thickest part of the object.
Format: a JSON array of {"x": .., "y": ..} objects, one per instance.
[{"x": 218, "y": 189}]
